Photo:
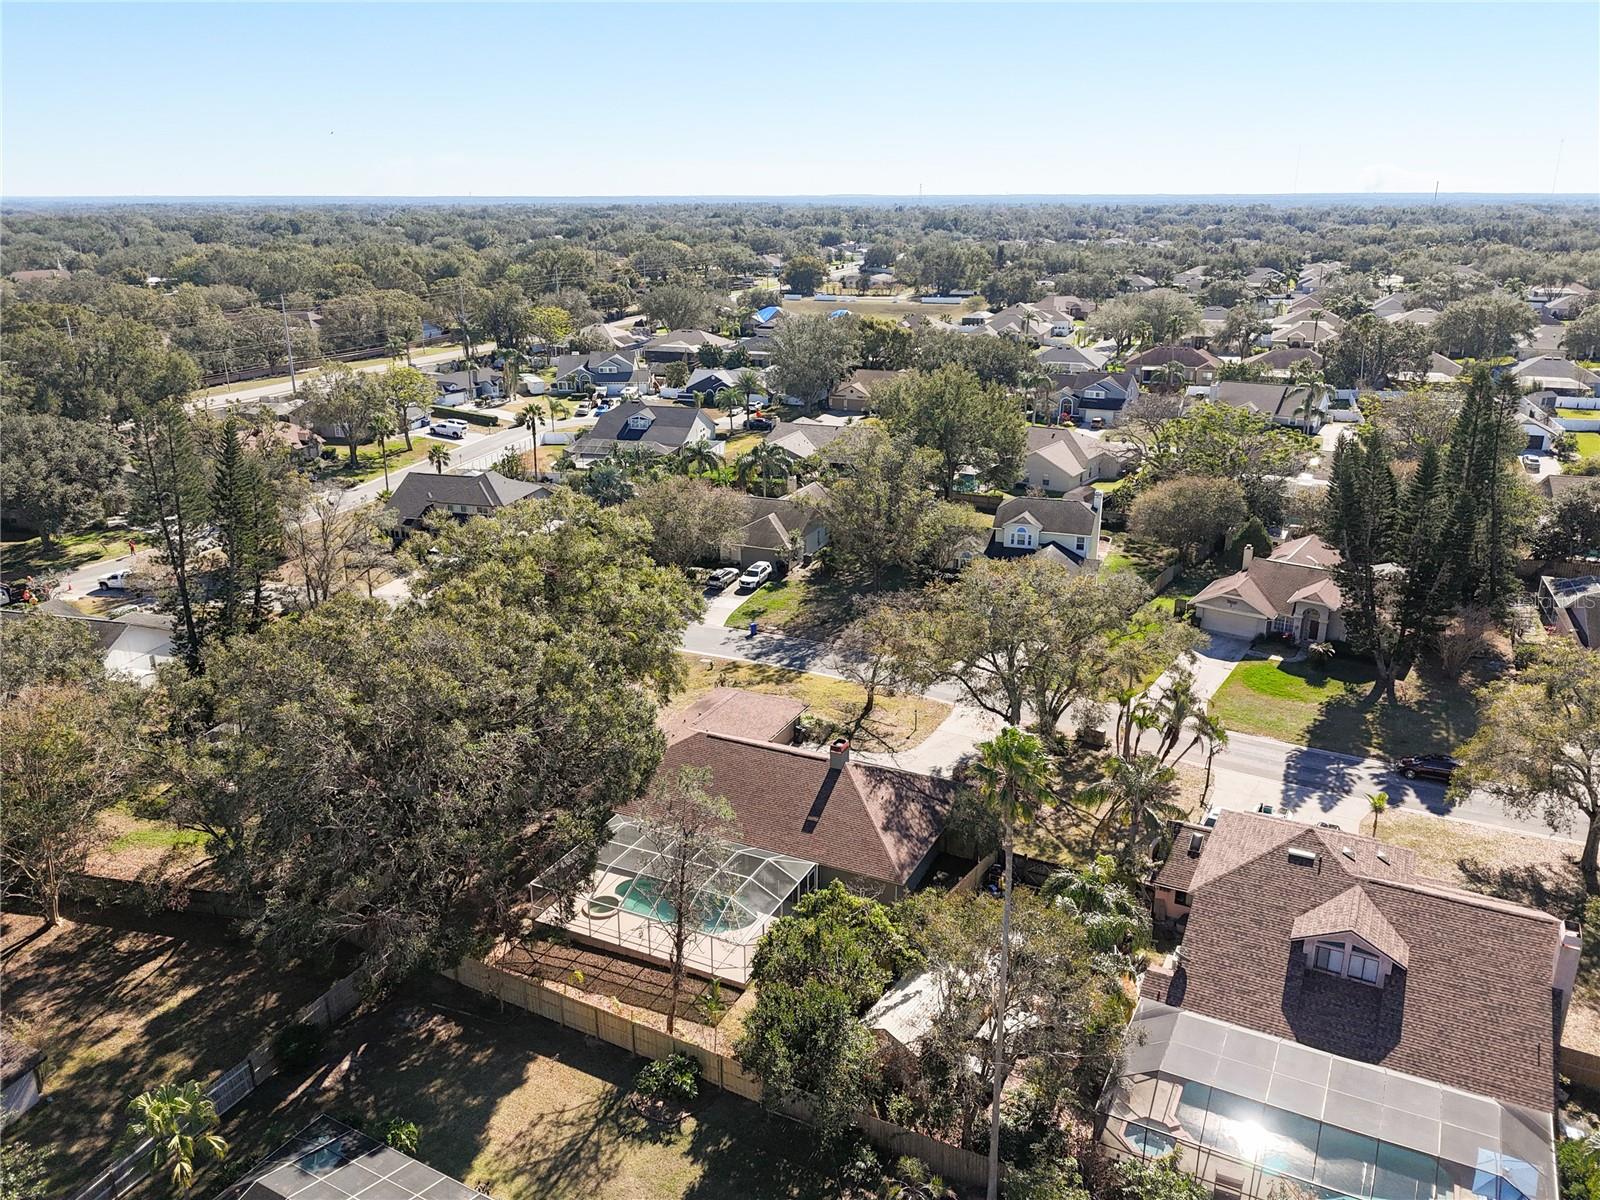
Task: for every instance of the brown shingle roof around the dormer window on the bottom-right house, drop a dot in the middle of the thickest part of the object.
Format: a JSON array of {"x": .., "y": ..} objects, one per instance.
[{"x": 1471, "y": 1007}]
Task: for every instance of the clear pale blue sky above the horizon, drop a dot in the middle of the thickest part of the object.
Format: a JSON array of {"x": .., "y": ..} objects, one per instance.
[{"x": 798, "y": 98}]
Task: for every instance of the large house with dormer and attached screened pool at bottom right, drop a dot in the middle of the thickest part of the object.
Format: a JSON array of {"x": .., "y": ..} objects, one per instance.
[{"x": 1335, "y": 1023}]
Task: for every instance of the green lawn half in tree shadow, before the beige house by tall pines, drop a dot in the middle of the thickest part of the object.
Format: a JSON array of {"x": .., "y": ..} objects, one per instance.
[{"x": 1306, "y": 706}]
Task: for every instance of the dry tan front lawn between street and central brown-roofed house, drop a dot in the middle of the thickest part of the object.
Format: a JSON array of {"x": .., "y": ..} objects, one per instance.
[{"x": 898, "y": 722}]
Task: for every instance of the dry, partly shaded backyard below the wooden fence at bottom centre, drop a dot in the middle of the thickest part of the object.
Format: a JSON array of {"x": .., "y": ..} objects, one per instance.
[{"x": 524, "y": 1110}]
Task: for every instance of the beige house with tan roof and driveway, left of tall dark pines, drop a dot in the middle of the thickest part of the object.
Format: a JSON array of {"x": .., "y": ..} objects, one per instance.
[{"x": 1290, "y": 593}]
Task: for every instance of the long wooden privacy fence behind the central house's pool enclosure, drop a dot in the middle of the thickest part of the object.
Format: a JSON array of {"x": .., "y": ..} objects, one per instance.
[{"x": 534, "y": 996}]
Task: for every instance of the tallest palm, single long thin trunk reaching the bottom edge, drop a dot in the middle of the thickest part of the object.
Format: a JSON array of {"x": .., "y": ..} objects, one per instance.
[{"x": 1015, "y": 777}]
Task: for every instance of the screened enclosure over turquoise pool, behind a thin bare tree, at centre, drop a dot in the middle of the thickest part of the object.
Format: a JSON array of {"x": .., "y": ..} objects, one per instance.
[{"x": 628, "y": 906}]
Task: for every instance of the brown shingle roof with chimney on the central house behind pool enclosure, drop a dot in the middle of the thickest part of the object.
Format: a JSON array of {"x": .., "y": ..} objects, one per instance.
[{"x": 865, "y": 820}]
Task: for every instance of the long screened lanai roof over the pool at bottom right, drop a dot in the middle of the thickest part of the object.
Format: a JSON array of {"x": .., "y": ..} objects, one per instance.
[{"x": 1353, "y": 1129}]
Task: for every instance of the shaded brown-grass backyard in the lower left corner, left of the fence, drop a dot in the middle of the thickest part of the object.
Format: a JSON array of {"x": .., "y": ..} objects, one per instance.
[{"x": 121, "y": 1002}]
